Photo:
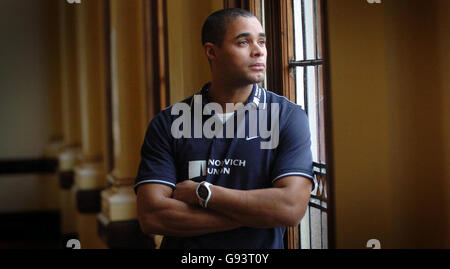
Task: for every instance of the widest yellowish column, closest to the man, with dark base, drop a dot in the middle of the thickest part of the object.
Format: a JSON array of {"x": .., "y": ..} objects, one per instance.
[{"x": 117, "y": 222}]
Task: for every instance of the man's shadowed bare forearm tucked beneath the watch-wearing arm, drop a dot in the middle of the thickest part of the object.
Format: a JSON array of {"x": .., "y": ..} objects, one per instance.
[{"x": 178, "y": 218}]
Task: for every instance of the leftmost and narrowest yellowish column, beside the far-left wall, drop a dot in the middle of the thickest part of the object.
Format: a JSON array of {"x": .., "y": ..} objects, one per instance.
[{"x": 69, "y": 155}]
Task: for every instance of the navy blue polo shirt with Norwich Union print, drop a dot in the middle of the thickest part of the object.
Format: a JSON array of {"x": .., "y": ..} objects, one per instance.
[{"x": 235, "y": 162}]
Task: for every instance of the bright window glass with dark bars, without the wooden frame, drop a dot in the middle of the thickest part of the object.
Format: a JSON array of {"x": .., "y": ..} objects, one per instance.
[{"x": 309, "y": 93}]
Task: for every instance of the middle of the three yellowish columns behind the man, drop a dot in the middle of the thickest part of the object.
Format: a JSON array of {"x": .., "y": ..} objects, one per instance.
[{"x": 90, "y": 174}]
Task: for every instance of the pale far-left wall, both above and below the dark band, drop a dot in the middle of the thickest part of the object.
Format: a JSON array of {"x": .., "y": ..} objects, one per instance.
[{"x": 25, "y": 84}]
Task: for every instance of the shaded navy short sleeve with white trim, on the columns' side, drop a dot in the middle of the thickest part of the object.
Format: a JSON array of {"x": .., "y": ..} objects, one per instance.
[{"x": 157, "y": 162}]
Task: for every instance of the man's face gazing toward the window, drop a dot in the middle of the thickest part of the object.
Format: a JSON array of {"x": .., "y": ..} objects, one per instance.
[{"x": 242, "y": 57}]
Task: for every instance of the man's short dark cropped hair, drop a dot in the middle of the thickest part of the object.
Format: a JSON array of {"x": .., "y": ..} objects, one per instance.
[{"x": 216, "y": 24}]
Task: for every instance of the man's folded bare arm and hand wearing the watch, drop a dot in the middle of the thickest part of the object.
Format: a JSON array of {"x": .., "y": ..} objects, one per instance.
[{"x": 282, "y": 205}]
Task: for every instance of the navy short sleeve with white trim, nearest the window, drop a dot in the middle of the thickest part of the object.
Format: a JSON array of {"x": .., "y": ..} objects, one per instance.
[{"x": 293, "y": 154}]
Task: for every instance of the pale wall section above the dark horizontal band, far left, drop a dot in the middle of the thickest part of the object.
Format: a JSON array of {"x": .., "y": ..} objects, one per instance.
[{"x": 24, "y": 88}]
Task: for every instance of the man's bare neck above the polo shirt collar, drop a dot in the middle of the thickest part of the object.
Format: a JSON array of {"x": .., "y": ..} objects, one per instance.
[{"x": 223, "y": 94}]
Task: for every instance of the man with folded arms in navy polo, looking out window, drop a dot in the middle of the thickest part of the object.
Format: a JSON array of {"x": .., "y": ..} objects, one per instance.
[{"x": 226, "y": 192}]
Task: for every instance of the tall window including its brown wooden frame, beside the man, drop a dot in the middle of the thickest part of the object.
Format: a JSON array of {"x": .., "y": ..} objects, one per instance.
[{"x": 297, "y": 69}]
